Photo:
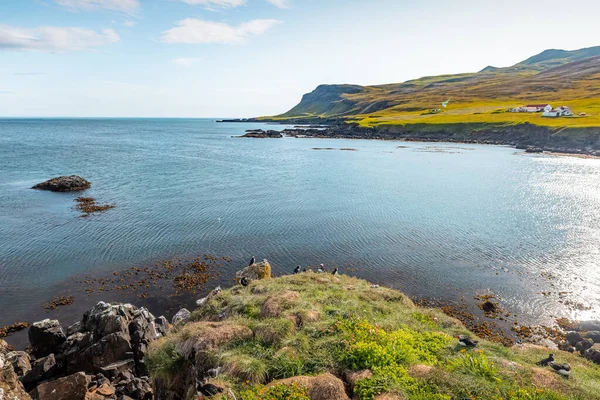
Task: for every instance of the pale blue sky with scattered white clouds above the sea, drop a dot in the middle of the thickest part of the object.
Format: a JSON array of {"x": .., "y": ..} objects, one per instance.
[{"x": 245, "y": 58}]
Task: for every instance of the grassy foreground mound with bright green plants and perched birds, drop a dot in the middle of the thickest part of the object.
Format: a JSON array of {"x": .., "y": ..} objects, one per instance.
[{"x": 311, "y": 323}]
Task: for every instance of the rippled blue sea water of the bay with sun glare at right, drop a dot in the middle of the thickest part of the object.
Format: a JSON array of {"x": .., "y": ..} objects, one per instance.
[{"x": 436, "y": 220}]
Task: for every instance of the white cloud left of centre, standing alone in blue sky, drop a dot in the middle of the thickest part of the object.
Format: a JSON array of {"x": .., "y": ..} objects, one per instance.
[{"x": 197, "y": 31}]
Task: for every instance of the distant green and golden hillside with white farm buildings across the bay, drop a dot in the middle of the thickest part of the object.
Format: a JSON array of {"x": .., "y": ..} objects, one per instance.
[{"x": 554, "y": 76}]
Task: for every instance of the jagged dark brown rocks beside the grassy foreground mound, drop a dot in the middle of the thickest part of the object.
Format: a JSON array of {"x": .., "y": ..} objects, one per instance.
[{"x": 101, "y": 357}]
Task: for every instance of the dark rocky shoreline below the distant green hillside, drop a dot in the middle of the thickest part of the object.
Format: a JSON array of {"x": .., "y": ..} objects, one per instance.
[{"x": 533, "y": 138}]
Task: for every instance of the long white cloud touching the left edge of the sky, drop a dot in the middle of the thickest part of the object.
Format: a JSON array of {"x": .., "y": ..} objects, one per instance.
[{"x": 54, "y": 39}]
